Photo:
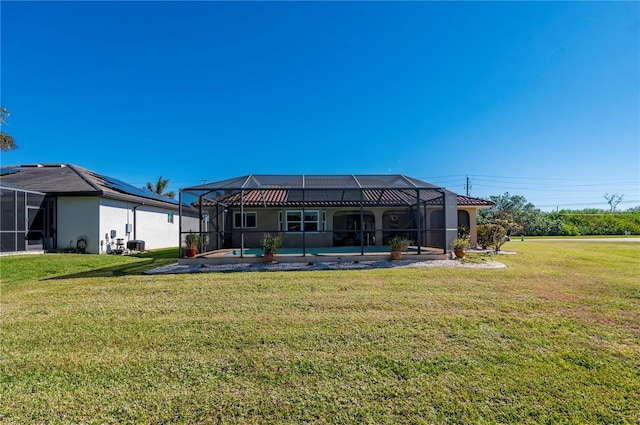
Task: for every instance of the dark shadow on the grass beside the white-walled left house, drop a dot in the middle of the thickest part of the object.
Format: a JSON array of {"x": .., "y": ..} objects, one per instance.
[{"x": 148, "y": 260}]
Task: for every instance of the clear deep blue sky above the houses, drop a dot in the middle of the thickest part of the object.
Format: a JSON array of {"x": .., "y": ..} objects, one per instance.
[{"x": 540, "y": 99}]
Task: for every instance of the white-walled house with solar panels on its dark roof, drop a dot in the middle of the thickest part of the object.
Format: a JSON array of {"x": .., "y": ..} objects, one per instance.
[{"x": 70, "y": 206}]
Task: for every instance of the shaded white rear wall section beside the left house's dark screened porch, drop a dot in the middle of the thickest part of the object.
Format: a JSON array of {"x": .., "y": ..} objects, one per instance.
[{"x": 78, "y": 216}]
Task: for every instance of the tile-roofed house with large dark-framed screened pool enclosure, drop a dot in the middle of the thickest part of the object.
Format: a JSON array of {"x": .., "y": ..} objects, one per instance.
[{"x": 331, "y": 210}]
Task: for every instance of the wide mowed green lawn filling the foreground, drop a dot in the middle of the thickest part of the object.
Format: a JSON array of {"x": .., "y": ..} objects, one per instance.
[{"x": 553, "y": 338}]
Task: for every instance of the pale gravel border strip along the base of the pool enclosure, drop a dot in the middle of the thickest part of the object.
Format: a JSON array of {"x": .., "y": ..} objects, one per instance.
[{"x": 314, "y": 266}]
